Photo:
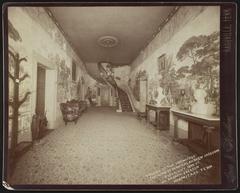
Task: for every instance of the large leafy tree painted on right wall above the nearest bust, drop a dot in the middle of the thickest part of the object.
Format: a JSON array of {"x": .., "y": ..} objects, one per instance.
[{"x": 203, "y": 51}]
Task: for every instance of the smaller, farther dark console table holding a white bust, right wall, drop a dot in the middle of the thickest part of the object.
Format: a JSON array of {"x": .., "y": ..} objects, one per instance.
[{"x": 162, "y": 115}]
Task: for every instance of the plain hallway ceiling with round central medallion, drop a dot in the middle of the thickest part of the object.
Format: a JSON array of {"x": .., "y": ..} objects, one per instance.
[{"x": 131, "y": 27}]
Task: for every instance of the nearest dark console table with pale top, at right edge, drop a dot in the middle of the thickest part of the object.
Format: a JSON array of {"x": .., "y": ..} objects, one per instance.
[{"x": 208, "y": 124}]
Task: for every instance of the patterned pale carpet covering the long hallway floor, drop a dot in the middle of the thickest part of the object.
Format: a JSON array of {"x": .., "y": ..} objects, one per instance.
[{"x": 104, "y": 147}]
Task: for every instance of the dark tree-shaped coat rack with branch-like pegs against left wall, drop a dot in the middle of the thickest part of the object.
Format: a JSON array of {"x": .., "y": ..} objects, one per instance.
[{"x": 15, "y": 103}]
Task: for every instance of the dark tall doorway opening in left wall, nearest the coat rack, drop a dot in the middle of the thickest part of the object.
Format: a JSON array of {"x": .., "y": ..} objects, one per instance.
[{"x": 41, "y": 79}]
